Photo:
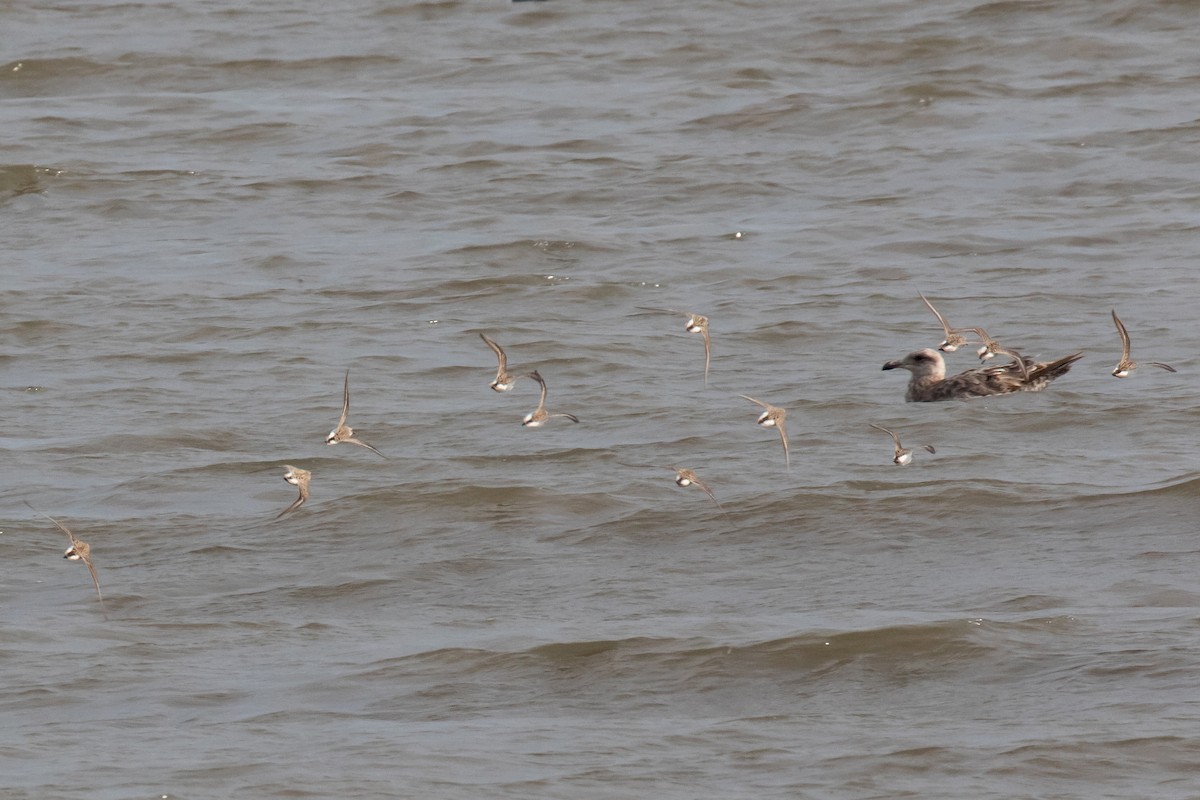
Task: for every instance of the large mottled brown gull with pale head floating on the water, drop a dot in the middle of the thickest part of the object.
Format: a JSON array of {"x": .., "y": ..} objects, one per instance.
[{"x": 929, "y": 382}]
